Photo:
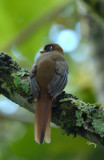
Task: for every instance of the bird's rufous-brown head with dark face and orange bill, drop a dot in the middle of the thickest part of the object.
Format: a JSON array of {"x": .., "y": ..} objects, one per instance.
[{"x": 52, "y": 47}]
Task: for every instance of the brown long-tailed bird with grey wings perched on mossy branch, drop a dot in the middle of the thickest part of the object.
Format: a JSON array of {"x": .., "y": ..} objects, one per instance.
[{"x": 49, "y": 76}]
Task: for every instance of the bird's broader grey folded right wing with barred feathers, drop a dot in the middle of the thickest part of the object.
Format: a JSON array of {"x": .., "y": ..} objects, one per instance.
[{"x": 59, "y": 80}]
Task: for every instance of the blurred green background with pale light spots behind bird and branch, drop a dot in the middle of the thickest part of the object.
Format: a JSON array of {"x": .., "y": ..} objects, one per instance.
[{"x": 78, "y": 27}]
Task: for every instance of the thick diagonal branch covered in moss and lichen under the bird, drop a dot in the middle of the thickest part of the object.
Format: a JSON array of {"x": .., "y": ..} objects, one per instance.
[{"x": 70, "y": 113}]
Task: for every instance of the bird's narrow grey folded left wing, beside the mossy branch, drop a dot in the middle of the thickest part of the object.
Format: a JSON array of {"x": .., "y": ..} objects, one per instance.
[{"x": 34, "y": 85}]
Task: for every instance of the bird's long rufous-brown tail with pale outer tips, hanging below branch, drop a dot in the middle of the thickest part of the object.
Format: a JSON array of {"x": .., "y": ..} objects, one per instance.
[{"x": 42, "y": 120}]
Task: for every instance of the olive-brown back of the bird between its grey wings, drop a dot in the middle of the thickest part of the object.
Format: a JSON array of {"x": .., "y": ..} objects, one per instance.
[{"x": 44, "y": 73}]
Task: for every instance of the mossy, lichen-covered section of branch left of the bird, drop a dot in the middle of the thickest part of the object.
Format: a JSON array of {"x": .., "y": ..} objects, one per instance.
[{"x": 14, "y": 82}]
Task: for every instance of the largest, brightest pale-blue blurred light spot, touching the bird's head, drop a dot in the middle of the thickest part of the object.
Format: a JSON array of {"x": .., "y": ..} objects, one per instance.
[{"x": 68, "y": 39}]
